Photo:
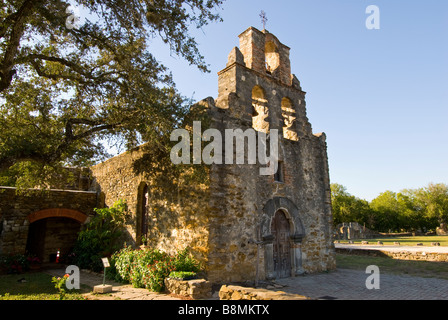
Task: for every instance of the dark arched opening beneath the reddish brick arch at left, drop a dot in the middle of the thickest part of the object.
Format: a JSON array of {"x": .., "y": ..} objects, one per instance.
[{"x": 48, "y": 236}]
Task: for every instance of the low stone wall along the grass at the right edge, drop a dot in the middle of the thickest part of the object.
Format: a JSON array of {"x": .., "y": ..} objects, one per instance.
[{"x": 399, "y": 255}]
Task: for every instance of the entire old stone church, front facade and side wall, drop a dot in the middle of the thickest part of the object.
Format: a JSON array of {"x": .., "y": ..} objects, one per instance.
[{"x": 240, "y": 224}]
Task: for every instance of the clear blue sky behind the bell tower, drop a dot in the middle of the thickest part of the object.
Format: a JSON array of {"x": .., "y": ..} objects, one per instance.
[{"x": 381, "y": 96}]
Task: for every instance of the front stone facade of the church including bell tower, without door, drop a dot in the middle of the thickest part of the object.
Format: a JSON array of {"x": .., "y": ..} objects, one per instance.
[{"x": 240, "y": 196}]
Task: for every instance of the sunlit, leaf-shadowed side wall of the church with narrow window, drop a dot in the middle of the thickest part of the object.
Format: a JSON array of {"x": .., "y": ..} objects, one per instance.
[{"x": 177, "y": 204}]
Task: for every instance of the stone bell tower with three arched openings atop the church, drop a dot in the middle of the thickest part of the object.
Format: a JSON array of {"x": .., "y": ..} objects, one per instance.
[{"x": 258, "y": 73}]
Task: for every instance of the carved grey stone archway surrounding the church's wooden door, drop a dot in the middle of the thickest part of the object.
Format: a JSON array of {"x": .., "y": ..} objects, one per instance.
[{"x": 282, "y": 211}]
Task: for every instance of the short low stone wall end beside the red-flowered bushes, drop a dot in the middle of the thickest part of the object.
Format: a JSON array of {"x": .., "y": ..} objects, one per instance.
[{"x": 195, "y": 289}]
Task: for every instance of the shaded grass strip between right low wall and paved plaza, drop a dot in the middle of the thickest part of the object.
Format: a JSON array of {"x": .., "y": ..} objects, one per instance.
[{"x": 426, "y": 269}]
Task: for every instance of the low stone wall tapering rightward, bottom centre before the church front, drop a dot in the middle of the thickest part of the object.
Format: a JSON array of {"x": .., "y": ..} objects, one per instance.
[{"x": 243, "y": 293}]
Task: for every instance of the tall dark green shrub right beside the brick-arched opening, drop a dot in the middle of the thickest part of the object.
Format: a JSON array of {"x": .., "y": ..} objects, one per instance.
[{"x": 100, "y": 237}]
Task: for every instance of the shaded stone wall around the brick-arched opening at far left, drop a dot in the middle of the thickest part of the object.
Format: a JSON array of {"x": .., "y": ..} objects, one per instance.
[{"x": 16, "y": 209}]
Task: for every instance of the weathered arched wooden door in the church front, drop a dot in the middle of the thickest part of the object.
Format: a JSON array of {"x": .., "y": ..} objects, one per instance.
[{"x": 281, "y": 231}]
